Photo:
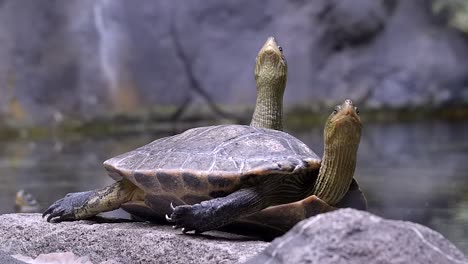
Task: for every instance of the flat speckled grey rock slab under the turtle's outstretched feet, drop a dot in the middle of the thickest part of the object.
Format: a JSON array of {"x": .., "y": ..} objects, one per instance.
[{"x": 136, "y": 242}]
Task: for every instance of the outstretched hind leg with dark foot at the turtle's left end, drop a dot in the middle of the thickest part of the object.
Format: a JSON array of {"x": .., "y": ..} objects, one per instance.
[{"x": 82, "y": 205}]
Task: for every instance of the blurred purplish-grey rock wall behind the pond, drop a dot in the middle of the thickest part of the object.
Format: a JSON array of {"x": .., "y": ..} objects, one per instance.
[{"x": 84, "y": 59}]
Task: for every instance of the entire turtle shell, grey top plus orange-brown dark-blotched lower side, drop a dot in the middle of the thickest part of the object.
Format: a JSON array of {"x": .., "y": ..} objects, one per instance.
[{"x": 208, "y": 162}]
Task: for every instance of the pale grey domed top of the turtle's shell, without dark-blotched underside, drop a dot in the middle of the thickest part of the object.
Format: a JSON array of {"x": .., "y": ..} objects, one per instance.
[{"x": 228, "y": 150}]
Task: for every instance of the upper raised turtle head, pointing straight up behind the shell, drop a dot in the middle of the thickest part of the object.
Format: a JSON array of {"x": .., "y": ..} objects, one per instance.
[{"x": 271, "y": 68}]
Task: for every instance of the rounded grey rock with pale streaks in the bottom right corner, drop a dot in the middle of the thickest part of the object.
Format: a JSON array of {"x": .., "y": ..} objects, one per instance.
[{"x": 351, "y": 236}]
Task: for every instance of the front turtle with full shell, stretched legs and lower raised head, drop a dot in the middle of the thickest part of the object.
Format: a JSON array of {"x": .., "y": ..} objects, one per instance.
[{"x": 209, "y": 177}]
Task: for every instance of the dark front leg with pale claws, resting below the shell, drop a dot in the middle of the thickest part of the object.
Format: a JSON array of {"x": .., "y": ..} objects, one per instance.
[{"x": 215, "y": 213}]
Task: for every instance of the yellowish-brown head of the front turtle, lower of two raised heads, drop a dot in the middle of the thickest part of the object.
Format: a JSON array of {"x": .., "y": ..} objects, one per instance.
[{"x": 343, "y": 126}]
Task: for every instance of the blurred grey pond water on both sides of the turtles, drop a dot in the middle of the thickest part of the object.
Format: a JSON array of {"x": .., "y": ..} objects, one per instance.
[{"x": 409, "y": 171}]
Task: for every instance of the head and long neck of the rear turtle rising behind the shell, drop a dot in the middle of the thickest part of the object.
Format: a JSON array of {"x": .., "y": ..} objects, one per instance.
[{"x": 270, "y": 72}]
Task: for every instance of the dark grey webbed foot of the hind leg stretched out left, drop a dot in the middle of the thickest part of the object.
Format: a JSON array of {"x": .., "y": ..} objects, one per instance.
[{"x": 66, "y": 208}]
